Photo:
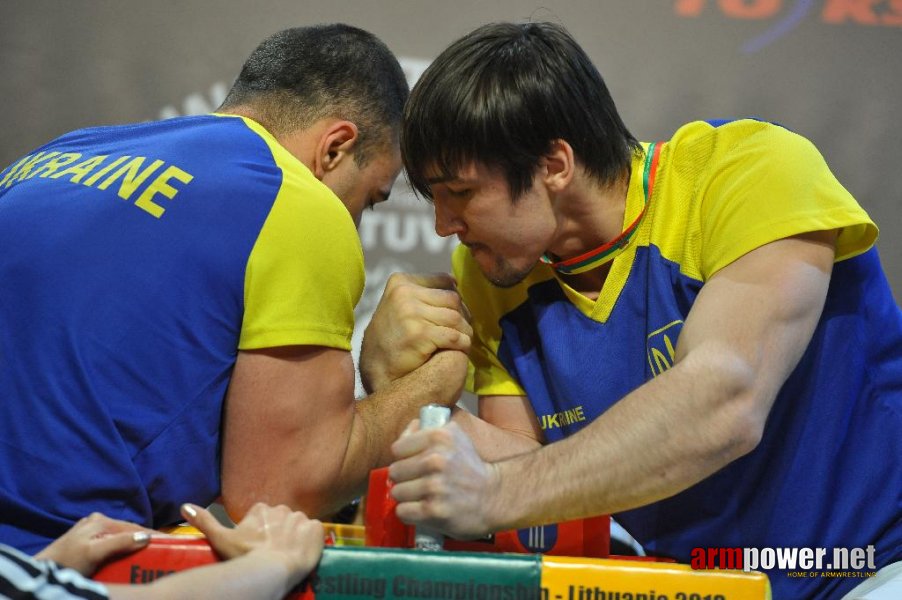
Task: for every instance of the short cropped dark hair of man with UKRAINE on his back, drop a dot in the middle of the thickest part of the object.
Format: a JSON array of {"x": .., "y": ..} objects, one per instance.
[{"x": 300, "y": 75}]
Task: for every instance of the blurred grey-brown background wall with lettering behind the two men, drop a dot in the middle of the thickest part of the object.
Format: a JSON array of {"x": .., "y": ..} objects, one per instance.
[{"x": 828, "y": 69}]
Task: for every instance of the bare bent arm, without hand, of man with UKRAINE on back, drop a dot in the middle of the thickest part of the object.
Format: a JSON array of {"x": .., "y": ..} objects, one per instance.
[{"x": 311, "y": 445}]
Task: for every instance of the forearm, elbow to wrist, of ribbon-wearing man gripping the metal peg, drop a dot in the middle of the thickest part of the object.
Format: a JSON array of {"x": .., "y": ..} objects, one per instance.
[{"x": 657, "y": 441}]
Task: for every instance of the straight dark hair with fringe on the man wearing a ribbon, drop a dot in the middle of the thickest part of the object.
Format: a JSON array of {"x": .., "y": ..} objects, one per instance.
[{"x": 500, "y": 96}]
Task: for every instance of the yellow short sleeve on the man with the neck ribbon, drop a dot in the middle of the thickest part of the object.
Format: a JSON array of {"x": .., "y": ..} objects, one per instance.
[{"x": 766, "y": 183}]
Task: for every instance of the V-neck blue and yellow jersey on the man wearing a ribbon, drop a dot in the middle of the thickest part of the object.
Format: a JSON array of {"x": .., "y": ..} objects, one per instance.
[{"x": 831, "y": 445}]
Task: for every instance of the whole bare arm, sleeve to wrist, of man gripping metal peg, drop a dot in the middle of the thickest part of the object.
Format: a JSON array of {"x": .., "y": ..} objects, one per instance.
[{"x": 694, "y": 419}]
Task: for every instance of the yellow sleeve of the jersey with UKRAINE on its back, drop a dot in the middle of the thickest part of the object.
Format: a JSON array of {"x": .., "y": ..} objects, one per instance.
[{"x": 305, "y": 273}]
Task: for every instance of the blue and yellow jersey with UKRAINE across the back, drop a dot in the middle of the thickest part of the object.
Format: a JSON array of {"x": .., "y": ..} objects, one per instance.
[{"x": 136, "y": 261}]
